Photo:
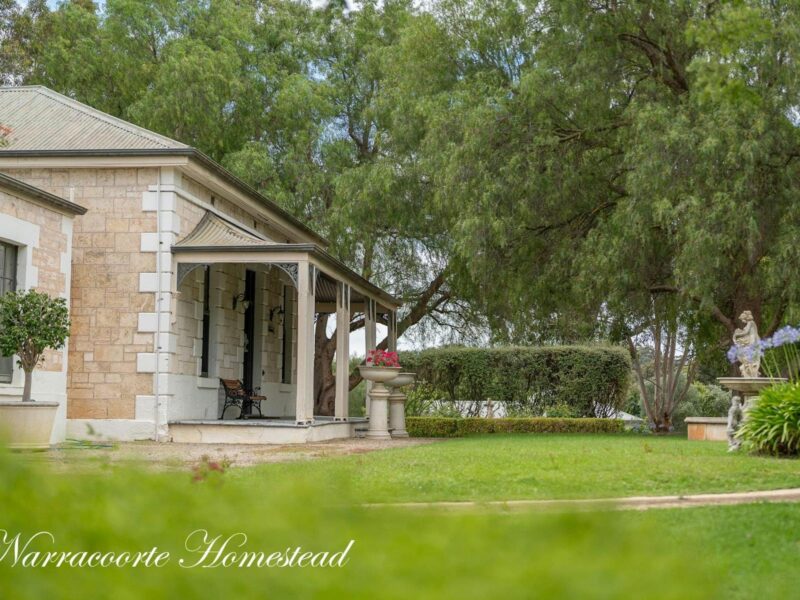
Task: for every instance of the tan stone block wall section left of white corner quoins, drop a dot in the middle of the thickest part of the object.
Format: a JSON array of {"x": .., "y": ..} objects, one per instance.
[{"x": 106, "y": 299}]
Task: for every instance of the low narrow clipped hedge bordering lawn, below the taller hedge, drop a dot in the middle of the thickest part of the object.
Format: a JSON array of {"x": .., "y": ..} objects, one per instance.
[{"x": 446, "y": 427}]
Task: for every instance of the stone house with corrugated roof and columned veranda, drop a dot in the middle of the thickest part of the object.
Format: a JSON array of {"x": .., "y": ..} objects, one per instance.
[{"x": 181, "y": 274}]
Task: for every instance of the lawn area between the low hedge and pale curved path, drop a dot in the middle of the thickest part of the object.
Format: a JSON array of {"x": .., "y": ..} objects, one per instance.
[{"x": 513, "y": 467}]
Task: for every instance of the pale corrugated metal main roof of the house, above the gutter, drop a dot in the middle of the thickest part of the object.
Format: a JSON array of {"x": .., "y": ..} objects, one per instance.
[{"x": 41, "y": 119}]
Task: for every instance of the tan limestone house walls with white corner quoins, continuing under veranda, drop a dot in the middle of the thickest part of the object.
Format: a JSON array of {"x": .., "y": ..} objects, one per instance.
[{"x": 114, "y": 279}]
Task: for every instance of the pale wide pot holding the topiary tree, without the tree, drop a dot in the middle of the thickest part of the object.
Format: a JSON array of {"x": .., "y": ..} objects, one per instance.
[{"x": 27, "y": 425}]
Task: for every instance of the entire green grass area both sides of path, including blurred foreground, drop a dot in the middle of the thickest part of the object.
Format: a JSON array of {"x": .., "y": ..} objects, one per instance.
[{"x": 714, "y": 552}]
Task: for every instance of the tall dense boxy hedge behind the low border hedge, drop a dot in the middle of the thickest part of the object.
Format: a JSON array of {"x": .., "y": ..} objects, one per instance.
[{"x": 528, "y": 379}]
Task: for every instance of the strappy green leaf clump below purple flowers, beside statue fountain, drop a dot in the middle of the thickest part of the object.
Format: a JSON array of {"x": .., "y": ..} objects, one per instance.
[{"x": 773, "y": 423}]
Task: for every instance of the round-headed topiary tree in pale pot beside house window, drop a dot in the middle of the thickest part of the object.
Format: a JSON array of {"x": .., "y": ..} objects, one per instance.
[{"x": 30, "y": 323}]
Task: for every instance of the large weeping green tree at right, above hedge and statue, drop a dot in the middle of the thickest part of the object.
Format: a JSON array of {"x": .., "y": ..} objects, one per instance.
[{"x": 639, "y": 149}]
